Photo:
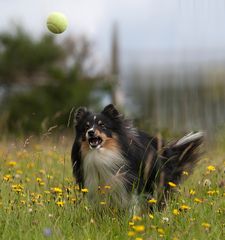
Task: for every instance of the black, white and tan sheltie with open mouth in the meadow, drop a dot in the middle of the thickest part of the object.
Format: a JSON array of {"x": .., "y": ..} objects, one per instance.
[{"x": 109, "y": 151}]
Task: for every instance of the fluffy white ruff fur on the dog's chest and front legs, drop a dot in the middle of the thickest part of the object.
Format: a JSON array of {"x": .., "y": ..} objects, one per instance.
[{"x": 105, "y": 167}]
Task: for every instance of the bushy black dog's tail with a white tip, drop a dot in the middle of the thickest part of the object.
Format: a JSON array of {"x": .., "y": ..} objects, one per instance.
[{"x": 178, "y": 159}]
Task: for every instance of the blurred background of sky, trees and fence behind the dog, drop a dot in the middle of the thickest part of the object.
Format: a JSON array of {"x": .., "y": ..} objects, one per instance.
[{"x": 162, "y": 62}]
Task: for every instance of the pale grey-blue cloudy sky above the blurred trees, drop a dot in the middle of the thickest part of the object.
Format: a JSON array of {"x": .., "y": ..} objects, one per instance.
[{"x": 145, "y": 26}]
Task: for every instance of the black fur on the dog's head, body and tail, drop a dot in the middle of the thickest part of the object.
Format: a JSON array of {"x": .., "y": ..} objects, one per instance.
[{"x": 150, "y": 163}]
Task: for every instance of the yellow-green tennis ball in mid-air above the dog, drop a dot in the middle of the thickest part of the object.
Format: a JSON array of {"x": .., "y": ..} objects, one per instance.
[{"x": 57, "y": 22}]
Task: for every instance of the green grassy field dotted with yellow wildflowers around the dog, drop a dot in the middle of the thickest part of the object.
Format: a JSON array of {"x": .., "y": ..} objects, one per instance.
[{"x": 39, "y": 200}]
